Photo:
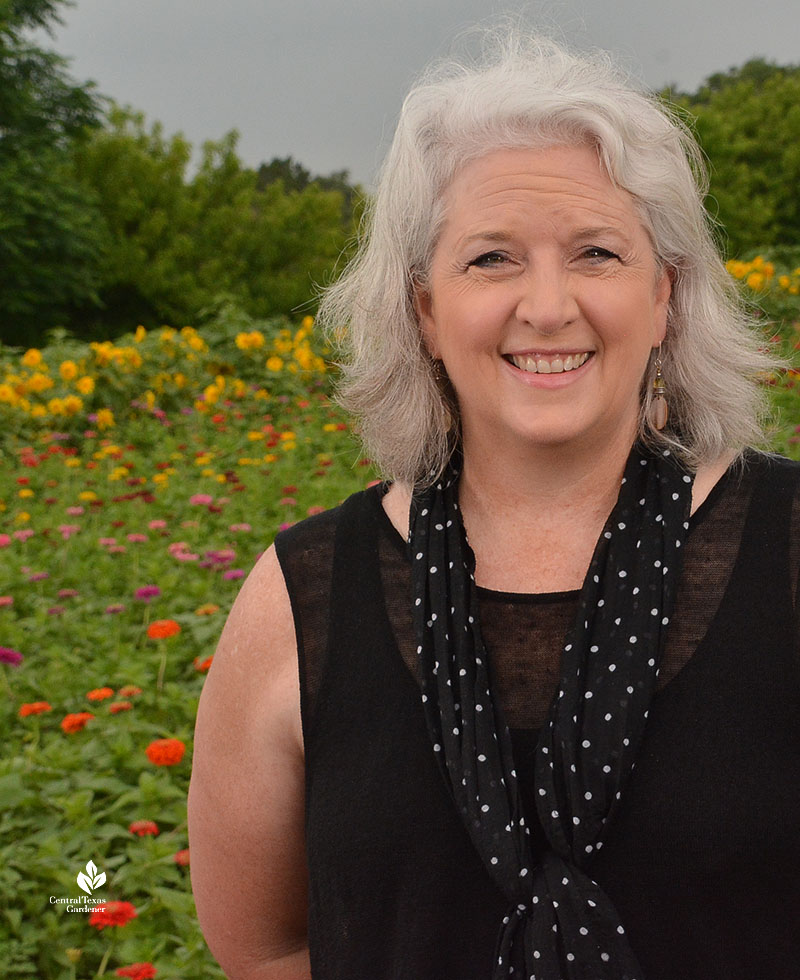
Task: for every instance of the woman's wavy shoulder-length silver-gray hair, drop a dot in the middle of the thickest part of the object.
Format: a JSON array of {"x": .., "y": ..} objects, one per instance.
[{"x": 532, "y": 92}]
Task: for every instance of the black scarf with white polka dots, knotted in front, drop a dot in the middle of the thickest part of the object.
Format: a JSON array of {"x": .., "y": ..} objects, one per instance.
[{"x": 560, "y": 924}]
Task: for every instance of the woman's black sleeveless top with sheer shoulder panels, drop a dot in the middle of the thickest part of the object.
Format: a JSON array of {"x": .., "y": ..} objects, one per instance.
[{"x": 703, "y": 859}]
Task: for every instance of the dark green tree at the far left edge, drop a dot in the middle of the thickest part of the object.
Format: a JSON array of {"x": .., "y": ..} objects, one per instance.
[{"x": 49, "y": 236}]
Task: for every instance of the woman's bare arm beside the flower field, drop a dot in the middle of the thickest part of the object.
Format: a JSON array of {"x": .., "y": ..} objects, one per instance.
[{"x": 246, "y": 799}]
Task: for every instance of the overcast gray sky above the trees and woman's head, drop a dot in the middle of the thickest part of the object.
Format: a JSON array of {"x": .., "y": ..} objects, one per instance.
[{"x": 323, "y": 81}]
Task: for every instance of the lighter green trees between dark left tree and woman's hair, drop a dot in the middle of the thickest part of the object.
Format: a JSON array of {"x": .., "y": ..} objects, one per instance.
[{"x": 176, "y": 245}]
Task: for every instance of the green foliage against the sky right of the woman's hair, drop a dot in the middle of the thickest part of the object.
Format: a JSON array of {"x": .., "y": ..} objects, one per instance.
[{"x": 748, "y": 123}]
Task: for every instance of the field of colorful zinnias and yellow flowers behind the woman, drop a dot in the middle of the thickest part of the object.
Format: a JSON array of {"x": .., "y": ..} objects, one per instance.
[{"x": 139, "y": 482}]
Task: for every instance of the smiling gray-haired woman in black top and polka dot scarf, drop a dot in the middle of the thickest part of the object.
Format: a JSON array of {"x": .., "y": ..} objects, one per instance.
[{"x": 569, "y": 745}]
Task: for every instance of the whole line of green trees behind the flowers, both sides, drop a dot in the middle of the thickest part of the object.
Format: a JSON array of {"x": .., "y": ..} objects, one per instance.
[{"x": 105, "y": 223}]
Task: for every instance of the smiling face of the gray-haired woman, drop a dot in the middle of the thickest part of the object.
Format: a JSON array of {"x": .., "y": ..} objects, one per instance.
[{"x": 543, "y": 301}]
